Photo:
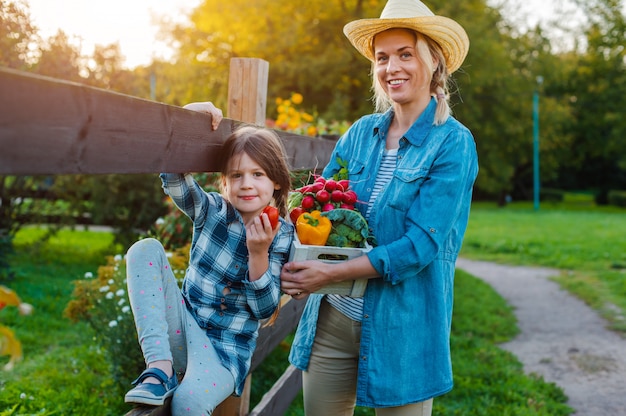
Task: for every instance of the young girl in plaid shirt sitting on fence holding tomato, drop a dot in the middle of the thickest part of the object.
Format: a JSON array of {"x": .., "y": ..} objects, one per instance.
[{"x": 208, "y": 330}]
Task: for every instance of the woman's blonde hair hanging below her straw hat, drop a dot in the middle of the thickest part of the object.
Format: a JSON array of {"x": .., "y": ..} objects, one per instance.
[{"x": 427, "y": 52}]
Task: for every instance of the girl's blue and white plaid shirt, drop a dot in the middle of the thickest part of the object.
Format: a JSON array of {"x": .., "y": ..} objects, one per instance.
[{"x": 216, "y": 286}]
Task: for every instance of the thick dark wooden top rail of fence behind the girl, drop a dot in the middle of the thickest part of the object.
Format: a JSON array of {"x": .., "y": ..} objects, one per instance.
[{"x": 49, "y": 126}]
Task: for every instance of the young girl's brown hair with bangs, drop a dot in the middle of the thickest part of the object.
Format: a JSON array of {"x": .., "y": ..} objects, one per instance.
[{"x": 265, "y": 148}]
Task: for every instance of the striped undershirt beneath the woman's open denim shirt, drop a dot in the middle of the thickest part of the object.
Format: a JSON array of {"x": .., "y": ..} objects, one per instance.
[{"x": 353, "y": 307}]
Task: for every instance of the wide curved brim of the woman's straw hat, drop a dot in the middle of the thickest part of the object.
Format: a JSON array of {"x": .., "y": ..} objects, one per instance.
[{"x": 448, "y": 34}]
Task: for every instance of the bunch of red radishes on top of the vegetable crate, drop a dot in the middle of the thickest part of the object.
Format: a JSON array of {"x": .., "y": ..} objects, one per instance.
[{"x": 322, "y": 195}]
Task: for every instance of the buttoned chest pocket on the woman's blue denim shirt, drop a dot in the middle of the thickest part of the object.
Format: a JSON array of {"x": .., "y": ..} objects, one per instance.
[{"x": 404, "y": 187}]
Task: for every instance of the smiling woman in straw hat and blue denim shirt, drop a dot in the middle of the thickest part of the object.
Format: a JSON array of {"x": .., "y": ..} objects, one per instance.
[{"x": 414, "y": 167}]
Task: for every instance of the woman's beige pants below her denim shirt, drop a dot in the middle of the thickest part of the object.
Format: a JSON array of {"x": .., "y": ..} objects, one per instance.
[{"x": 330, "y": 382}]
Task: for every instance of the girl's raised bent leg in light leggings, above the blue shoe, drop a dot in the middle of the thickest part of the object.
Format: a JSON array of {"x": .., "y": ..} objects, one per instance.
[{"x": 157, "y": 304}]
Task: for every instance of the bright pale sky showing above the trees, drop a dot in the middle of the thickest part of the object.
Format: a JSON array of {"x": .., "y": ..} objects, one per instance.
[{"x": 131, "y": 22}]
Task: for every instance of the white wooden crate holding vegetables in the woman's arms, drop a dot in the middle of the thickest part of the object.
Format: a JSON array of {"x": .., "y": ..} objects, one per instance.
[{"x": 330, "y": 254}]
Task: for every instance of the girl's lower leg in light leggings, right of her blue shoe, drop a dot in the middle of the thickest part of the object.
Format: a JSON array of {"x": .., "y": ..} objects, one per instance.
[{"x": 207, "y": 382}]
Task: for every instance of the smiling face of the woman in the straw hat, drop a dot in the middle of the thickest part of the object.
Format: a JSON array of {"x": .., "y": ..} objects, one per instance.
[{"x": 399, "y": 70}]
